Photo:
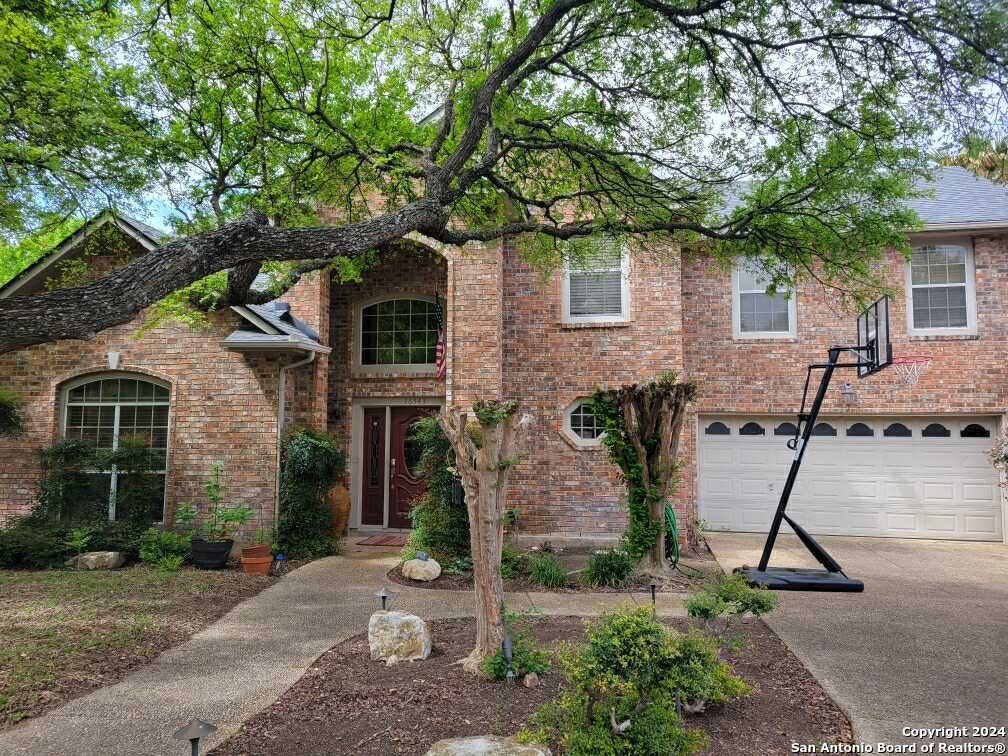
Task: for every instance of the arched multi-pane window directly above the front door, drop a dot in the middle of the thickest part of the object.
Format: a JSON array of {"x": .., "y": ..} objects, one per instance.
[{"x": 400, "y": 332}]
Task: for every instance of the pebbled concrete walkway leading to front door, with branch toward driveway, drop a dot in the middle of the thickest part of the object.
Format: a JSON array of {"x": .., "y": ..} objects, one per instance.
[{"x": 245, "y": 661}]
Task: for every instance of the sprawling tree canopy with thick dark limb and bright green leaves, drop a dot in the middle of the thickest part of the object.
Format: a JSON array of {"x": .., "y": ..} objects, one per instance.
[{"x": 306, "y": 135}]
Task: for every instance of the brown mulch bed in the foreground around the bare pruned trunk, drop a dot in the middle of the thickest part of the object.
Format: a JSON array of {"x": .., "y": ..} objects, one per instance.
[{"x": 347, "y": 704}]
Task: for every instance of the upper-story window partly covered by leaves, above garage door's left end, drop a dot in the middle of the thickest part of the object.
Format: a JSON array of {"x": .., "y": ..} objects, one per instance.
[{"x": 757, "y": 314}]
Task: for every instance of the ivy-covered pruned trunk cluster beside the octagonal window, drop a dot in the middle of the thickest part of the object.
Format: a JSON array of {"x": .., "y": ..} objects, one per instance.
[{"x": 648, "y": 485}]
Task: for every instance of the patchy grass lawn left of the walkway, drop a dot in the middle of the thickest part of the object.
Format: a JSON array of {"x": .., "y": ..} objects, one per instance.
[{"x": 68, "y": 633}]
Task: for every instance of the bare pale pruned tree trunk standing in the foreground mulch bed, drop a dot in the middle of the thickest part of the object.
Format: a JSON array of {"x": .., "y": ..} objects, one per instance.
[{"x": 484, "y": 455}]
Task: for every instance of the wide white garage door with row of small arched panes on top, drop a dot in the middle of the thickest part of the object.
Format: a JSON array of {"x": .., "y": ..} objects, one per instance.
[{"x": 898, "y": 477}]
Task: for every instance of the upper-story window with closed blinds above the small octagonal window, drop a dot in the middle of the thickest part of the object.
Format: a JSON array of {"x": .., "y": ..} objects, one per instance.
[{"x": 595, "y": 289}]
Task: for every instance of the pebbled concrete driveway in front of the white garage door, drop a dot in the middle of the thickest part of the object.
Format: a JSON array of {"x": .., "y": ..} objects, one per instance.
[{"x": 925, "y": 646}]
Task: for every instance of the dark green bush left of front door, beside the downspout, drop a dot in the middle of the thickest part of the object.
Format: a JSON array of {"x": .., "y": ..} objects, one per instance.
[{"x": 312, "y": 464}]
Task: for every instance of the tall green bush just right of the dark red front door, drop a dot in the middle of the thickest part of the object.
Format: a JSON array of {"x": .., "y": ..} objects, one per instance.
[{"x": 440, "y": 527}]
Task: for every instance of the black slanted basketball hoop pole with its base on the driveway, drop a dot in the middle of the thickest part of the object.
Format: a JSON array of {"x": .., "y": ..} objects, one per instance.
[{"x": 807, "y": 424}]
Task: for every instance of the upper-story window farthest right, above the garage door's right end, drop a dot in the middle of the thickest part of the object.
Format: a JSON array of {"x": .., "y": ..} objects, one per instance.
[{"x": 941, "y": 286}]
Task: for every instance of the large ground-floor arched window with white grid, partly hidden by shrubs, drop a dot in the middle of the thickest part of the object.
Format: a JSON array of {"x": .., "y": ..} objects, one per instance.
[{"x": 104, "y": 412}]
